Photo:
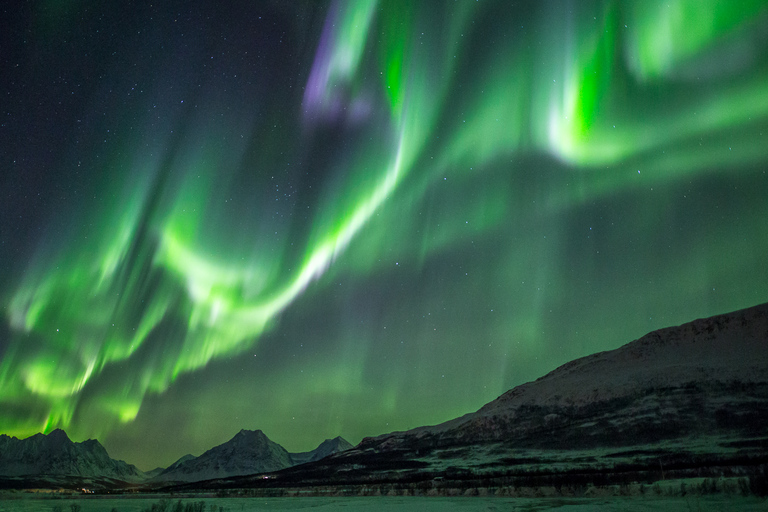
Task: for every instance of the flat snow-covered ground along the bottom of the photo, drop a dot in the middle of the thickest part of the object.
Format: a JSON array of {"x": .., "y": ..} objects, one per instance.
[{"x": 404, "y": 504}]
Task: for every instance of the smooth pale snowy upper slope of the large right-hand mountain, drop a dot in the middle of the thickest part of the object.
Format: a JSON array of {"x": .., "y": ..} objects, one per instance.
[{"x": 746, "y": 329}]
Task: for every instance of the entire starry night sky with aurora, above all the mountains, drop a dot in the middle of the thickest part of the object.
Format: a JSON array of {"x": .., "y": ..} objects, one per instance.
[{"x": 354, "y": 217}]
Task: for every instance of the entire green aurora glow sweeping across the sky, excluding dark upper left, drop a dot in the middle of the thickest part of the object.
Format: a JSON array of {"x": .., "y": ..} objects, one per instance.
[{"x": 452, "y": 236}]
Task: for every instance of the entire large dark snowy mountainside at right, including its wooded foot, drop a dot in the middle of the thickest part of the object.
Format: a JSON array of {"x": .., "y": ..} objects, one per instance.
[{"x": 693, "y": 396}]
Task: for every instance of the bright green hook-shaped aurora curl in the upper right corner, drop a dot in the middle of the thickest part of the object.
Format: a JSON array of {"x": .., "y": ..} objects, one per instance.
[{"x": 589, "y": 121}]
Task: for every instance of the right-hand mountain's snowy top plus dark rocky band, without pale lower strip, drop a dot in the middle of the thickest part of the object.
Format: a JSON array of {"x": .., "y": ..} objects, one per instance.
[{"x": 704, "y": 376}]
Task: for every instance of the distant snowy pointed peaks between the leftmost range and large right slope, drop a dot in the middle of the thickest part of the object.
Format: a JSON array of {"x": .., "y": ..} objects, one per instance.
[{"x": 247, "y": 453}]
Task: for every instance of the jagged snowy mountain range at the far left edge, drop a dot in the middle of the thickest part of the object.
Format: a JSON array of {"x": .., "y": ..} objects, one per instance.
[{"x": 55, "y": 454}]
